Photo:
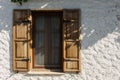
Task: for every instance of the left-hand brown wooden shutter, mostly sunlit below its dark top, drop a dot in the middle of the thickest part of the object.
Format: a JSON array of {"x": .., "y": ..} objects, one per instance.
[{"x": 21, "y": 38}]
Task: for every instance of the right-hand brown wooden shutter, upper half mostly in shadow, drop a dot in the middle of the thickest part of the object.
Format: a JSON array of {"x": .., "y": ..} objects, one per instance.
[{"x": 71, "y": 42}]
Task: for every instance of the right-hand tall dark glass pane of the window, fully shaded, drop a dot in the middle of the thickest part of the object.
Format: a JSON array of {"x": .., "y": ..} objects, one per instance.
[{"x": 55, "y": 40}]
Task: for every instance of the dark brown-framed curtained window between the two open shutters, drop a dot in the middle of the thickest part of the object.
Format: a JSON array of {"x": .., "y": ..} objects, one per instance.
[{"x": 47, "y": 40}]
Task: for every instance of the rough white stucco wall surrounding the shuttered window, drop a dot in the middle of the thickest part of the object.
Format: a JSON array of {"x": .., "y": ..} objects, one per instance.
[{"x": 100, "y": 39}]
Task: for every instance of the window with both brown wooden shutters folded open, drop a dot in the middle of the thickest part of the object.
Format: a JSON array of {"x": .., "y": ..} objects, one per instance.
[{"x": 46, "y": 39}]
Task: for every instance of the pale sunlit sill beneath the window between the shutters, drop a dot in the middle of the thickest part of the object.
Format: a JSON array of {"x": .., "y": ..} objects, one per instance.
[{"x": 45, "y": 72}]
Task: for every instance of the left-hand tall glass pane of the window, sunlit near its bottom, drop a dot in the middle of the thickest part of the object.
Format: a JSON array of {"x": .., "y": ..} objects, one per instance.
[{"x": 39, "y": 40}]
